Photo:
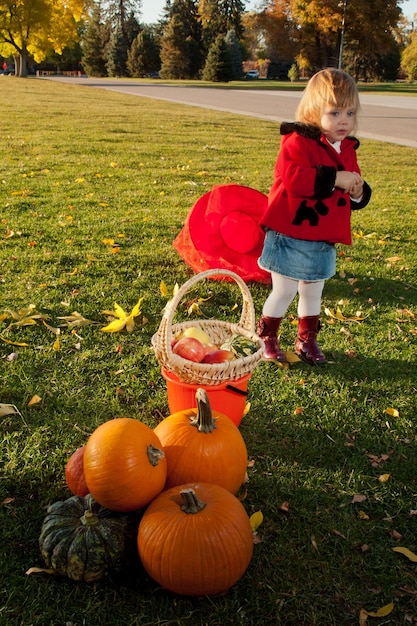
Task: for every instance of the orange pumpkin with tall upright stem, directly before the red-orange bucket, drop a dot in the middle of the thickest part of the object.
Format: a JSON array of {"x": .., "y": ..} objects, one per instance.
[{"x": 203, "y": 446}]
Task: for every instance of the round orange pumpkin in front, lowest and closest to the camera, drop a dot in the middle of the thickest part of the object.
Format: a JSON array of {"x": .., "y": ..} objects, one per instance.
[{"x": 195, "y": 539}]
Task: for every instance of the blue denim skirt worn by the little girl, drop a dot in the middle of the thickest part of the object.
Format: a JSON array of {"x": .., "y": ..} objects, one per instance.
[{"x": 298, "y": 258}]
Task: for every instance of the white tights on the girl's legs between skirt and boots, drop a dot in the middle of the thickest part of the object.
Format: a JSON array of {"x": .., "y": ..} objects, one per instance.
[{"x": 284, "y": 291}]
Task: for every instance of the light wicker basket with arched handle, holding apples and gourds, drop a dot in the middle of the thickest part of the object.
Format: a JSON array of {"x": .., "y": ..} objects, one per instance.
[{"x": 218, "y": 331}]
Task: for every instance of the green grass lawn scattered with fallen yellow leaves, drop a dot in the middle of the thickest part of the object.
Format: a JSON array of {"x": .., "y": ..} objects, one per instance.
[{"x": 94, "y": 187}]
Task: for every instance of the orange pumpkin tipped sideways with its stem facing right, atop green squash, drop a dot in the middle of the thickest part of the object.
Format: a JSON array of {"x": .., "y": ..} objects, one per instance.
[{"x": 124, "y": 465}]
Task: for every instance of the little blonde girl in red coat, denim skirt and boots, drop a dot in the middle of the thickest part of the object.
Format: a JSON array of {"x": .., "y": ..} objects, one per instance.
[{"x": 317, "y": 183}]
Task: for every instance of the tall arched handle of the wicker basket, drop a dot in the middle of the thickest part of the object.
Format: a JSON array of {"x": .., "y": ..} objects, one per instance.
[{"x": 247, "y": 318}]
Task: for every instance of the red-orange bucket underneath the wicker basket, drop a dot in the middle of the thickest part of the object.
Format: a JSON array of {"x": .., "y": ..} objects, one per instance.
[{"x": 228, "y": 398}]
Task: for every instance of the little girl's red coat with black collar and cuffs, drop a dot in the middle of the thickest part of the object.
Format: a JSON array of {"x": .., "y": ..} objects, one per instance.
[{"x": 303, "y": 202}]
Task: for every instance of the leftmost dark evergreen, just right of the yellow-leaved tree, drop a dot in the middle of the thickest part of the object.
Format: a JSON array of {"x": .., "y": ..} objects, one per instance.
[{"x": 94, "y": 42}]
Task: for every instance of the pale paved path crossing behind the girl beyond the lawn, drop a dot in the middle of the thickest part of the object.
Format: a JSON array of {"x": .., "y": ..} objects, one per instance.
[{"x": 385, "y": 118}]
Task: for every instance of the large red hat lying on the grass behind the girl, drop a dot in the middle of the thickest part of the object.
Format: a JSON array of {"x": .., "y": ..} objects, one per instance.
[{"x": 222, "y": 231}]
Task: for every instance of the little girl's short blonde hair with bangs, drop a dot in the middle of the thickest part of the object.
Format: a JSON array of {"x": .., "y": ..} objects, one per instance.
[{"x": 329, "y": 87}]
